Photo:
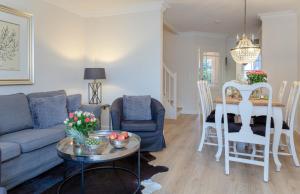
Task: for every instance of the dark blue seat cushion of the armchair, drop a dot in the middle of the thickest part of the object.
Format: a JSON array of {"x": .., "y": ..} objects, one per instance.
[{"x": 141, "y": 126}]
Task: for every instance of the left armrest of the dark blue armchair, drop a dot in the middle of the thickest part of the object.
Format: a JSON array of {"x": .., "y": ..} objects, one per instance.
[{"x": 116, "y": 113}]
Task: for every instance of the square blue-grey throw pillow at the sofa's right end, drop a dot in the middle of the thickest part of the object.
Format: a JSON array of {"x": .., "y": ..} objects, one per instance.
[{"x": 48, "y": 111}]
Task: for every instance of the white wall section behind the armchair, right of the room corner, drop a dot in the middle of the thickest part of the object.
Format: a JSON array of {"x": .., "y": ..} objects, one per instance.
[{"x": 129, "y": 47}]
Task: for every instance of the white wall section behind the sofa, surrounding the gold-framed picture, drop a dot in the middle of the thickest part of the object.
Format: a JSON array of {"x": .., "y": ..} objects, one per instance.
[{"x": 59, "y": 48}]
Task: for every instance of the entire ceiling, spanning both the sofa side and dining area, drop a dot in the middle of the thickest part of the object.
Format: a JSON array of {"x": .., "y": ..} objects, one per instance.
[{"x": 217, "y": 16}]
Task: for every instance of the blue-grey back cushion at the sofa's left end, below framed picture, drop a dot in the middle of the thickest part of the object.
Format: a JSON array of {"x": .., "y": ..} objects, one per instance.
[{"x": 14, "y": 113}]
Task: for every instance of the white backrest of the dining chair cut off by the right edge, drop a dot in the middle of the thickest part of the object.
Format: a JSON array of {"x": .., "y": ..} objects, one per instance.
[{"x": 292, "y": 103}]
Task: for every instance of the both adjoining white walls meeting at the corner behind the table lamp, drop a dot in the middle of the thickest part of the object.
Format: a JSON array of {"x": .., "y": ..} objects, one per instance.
[{"x": 128, "y": 46}]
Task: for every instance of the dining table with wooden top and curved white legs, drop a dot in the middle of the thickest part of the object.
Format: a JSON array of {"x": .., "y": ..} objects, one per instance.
[{"x": 259, "y": 105}]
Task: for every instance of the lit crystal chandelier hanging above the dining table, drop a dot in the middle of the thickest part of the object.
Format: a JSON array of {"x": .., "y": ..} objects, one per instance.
[{"x": 245, "y": 51}]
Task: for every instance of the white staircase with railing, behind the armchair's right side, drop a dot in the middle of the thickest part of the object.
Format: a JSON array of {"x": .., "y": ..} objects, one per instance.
[{"x": 170, "y": 93}]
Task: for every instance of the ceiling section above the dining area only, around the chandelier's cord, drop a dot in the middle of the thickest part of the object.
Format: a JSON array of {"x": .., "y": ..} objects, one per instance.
[{"x": 221, "y": 16}]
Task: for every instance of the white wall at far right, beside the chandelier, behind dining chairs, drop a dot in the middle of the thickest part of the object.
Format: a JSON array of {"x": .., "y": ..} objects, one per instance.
[{"x": 280, "y": 48}]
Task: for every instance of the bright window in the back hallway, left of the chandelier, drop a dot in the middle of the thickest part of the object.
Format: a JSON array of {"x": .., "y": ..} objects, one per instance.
[{"x": 209, "y": 68}]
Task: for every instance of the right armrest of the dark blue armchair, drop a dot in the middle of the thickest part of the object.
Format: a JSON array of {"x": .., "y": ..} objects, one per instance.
[{"x": 158, "y": 113}]
